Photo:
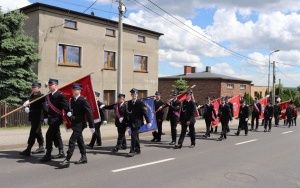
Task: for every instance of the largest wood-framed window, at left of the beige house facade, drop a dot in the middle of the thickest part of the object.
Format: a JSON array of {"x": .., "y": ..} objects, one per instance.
[{"x": 69, "y": 55}]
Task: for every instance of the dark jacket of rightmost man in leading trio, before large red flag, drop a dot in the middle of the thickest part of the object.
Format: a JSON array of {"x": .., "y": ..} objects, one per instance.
[{"x": 81, "y": 110}]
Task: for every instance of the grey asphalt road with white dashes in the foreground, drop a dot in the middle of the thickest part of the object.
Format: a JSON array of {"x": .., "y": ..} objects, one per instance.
[{"x": 260, "y": 159}]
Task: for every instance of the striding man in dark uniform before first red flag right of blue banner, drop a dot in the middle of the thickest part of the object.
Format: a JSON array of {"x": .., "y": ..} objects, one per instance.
[{"x": 187, "y": 119}]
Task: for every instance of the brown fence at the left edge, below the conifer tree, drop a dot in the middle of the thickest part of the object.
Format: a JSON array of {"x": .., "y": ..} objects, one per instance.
[{"x": 18, "y": 118}]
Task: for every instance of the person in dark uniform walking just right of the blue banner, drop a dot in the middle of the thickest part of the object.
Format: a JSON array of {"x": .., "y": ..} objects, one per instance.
[{"x": 159, "y": 118}]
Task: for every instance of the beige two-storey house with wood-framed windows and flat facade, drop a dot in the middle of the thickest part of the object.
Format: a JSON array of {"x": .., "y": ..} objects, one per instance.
[{"x": 72, "y": 45}]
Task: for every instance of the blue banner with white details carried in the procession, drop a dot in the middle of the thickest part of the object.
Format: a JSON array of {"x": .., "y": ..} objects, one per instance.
[{"x": 149, "y": 102}]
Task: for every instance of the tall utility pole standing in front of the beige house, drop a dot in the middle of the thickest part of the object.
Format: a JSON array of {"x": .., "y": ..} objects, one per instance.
[{"x": 120, "y": 46}]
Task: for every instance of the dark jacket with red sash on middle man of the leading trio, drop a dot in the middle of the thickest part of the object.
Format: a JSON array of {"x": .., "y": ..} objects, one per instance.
[{"x": 59, "y": 100}]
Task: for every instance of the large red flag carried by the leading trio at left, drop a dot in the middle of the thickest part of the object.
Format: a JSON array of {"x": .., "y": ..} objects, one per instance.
[{"x": 87, "y": 92}]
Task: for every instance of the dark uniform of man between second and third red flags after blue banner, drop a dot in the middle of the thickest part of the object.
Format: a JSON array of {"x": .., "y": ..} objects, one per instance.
[{"x": 225, "y": 115}]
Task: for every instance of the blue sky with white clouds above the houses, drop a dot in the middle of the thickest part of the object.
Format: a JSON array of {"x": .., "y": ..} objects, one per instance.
[{"x": 234, "y": 37}]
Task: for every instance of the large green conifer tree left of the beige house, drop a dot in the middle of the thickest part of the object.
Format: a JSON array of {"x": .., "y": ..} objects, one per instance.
[{"x": 18, "y": 55}]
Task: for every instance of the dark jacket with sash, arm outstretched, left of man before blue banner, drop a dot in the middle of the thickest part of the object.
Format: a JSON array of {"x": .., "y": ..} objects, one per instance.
[{"x": 122, "y": 112}]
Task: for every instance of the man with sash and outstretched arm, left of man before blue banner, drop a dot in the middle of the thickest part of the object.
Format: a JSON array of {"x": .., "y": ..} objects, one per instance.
[{"x": 120, "y": 122}]
